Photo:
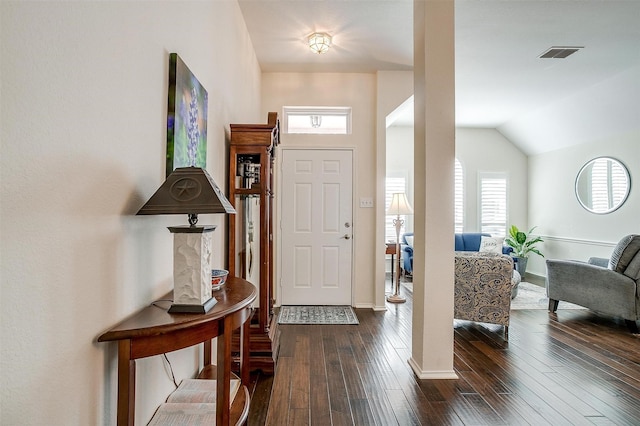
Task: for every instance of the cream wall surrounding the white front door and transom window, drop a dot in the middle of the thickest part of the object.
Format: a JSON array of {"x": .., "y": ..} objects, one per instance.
[{"x": 358, "y": 92}]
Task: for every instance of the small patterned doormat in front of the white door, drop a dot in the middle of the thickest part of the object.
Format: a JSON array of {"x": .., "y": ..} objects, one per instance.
[{"x": 334, "y": 315}]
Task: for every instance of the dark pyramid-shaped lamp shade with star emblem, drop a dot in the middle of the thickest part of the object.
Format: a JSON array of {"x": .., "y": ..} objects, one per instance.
[{"x": 188, "y": 190}]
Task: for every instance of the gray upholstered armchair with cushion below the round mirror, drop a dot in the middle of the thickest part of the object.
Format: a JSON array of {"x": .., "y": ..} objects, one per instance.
[{"x": 608, "y": 286}]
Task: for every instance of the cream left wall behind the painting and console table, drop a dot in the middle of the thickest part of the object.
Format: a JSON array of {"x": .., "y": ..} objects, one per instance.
[{"x": 83, "y": 110}]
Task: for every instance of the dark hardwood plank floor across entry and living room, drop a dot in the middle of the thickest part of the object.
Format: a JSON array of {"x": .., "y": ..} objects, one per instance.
[{"x": 570, "y": 368}]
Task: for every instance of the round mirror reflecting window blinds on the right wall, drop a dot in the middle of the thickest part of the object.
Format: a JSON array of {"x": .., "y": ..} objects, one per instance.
[{"x": 603, "y": 185}]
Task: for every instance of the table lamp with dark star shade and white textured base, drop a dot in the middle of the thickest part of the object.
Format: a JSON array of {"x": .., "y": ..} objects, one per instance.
[{"x": 191, "y": 191}]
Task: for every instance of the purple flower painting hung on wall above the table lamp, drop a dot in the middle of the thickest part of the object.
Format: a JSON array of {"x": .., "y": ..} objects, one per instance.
[{"x": 186, "y": 118}]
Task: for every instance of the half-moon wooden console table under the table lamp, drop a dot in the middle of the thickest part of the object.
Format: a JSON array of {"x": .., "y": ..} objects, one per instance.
[{"x": 153, "y": 331}]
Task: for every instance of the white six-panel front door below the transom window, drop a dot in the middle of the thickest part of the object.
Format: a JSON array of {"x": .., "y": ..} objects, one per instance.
[{"x": 317, "y": 228}]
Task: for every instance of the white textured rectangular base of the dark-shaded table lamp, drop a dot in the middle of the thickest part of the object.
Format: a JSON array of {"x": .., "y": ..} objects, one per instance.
[{"x": 192, "y": 269}]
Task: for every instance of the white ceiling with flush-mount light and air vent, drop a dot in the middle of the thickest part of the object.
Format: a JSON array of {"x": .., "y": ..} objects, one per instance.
[{"x": 539, "y": 104}]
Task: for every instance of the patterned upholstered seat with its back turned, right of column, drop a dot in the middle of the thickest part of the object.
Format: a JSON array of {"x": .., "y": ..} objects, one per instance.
[{"x": 483, "y": 287}]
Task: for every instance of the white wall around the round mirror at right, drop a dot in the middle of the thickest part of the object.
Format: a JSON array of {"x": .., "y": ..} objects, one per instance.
[{"x": 571, "y": 232}]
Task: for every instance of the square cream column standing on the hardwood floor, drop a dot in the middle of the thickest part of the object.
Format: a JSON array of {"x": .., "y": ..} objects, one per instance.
[{"x": 433, "y": 261}]
